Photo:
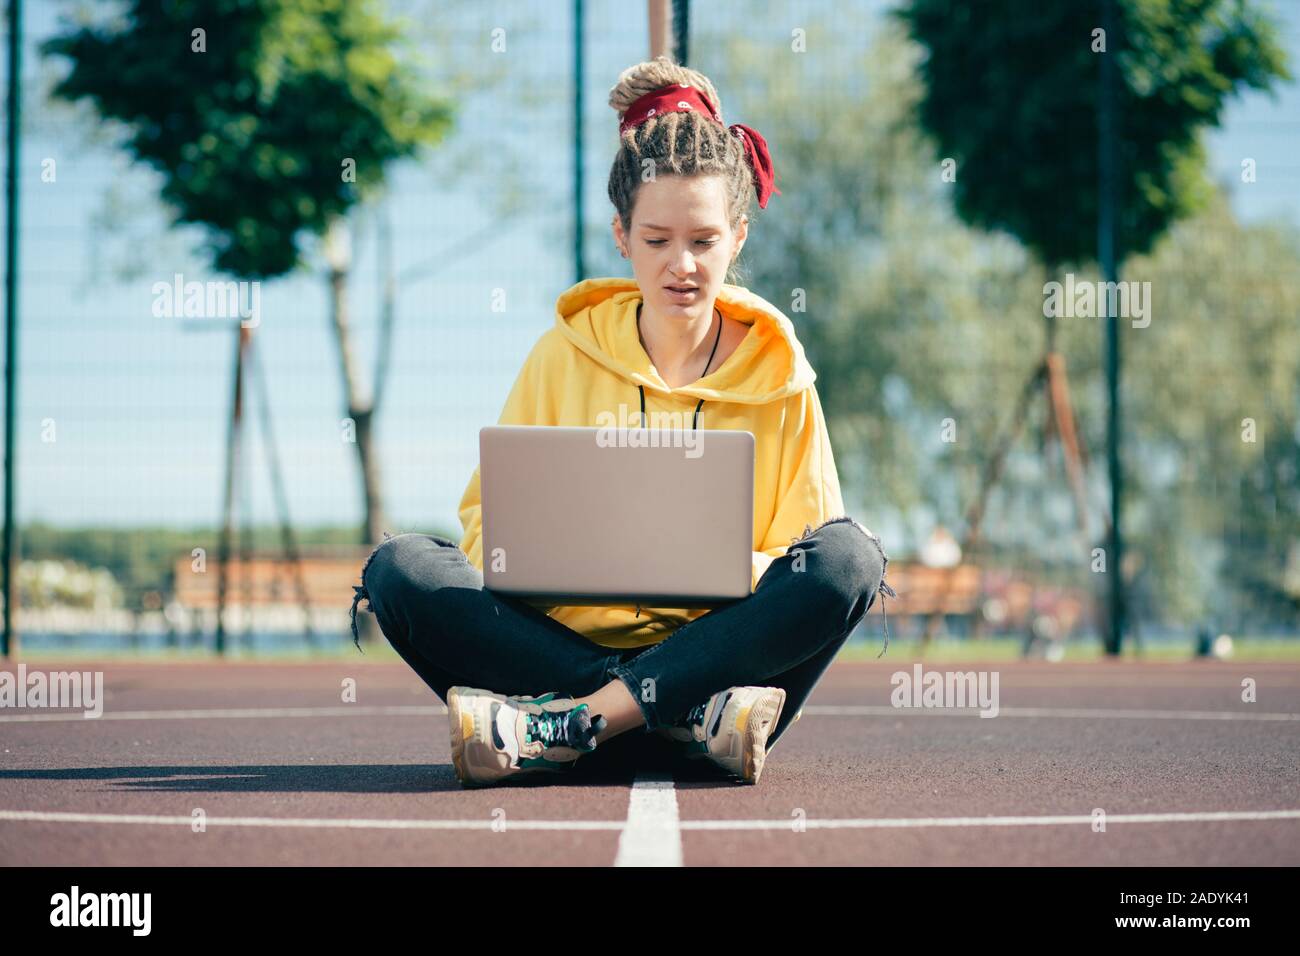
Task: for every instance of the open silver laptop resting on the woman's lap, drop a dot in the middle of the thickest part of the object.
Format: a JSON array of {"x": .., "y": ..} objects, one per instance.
[{"x": 597, "y": 517}]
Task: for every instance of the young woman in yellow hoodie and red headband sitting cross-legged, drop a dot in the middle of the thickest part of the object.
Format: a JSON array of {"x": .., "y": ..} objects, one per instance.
[{"x": 677, "y": 341}]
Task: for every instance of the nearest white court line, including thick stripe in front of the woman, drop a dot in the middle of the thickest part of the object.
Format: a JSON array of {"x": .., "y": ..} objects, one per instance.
[{"x": 651, "y": 820}]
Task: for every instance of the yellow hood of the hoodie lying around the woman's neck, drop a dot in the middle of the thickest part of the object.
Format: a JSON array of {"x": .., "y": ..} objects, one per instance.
[{"x": 600, "y": 318}]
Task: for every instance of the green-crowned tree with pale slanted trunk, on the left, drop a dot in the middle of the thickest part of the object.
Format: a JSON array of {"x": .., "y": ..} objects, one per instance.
[{"x": 270, "y": 122}]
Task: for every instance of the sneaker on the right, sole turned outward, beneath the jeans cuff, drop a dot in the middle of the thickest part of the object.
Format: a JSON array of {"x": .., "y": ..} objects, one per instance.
[{"x": 731, "y": 729}]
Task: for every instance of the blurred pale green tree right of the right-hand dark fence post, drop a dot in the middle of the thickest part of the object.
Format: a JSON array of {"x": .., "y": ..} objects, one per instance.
[{"x": 1215, "y": 426}]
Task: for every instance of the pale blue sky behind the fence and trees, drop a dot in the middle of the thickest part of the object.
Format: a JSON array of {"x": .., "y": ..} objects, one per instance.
[{"x": 138, "y": 406}]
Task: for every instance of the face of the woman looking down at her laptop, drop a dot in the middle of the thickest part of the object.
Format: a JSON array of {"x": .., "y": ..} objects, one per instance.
[{"x": 681, "y": 239}]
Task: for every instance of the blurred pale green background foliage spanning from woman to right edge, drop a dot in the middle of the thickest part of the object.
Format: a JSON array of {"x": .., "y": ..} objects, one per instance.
[{"x": 912, "y": 318}]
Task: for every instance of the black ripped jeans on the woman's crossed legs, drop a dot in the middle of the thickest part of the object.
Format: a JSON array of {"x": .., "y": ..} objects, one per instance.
[{"x": 431, "y": 604}]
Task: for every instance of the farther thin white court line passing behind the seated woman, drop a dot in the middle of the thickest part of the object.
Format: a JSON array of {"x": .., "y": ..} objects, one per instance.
[{"x": 812, "y": 711}]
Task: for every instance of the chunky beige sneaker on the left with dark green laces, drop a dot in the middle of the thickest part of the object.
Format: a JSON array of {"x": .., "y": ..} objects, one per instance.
[{"x": 497, "y": 738}]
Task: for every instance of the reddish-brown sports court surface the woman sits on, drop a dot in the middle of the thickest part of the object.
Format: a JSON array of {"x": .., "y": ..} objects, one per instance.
[{"x": 261, "y": 764}]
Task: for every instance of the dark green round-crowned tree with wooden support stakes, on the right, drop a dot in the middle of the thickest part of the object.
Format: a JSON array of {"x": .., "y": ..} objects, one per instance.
[{"x": 1016, "y": 110}]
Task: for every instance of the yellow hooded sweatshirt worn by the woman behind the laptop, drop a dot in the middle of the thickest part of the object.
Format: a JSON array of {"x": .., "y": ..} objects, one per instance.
[{"x": 592, "y": 362}]
